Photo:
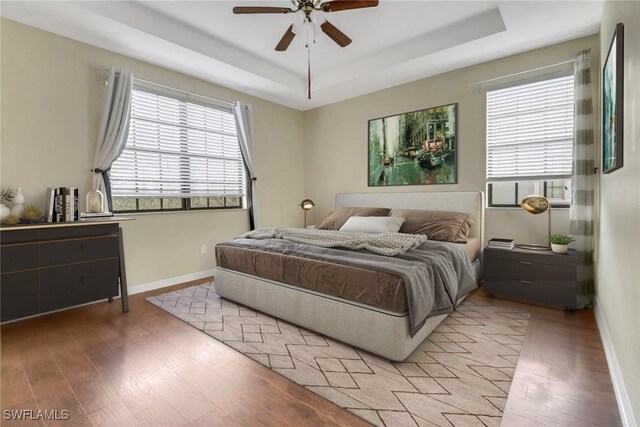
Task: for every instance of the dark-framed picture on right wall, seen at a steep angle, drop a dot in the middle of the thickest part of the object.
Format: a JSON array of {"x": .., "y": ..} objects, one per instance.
[{"x": 613, "y": 103}]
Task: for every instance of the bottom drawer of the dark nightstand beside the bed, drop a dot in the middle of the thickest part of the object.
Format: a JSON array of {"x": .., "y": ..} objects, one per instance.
[{"x": 549, "y": 294}]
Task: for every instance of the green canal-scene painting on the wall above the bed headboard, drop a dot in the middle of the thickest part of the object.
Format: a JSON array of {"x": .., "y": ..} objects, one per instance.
[{"x": 416, "y": 148}]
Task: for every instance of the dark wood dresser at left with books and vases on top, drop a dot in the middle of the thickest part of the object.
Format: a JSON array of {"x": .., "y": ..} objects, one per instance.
[{"x": 51, "y": 266}]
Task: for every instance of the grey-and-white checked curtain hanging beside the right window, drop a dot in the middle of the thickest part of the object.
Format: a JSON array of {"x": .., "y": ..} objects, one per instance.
[{"x": 583, "y": 178}]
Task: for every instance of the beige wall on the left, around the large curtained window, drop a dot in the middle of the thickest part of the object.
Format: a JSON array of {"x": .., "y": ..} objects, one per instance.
[{"x": 51, "y": 106}]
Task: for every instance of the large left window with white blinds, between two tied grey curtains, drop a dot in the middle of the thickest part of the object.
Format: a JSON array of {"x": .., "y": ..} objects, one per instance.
[{"x": 182, "y": 153}]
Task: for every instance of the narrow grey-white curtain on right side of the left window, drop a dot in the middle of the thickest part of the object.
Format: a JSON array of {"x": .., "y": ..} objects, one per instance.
[{"x": 243, "y": 114}]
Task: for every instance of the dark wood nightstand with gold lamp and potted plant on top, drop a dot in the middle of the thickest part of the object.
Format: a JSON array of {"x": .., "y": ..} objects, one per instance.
[{"x": 537, "y": 277}]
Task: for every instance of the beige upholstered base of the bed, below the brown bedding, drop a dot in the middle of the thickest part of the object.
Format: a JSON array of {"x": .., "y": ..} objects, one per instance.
[{"x": 378, "y": 331}]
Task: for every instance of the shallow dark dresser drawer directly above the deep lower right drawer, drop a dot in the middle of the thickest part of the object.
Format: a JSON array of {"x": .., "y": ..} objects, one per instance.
[{"x": 77, "y": 250}]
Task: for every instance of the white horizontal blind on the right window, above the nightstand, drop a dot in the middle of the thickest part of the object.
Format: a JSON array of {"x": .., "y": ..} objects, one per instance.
[{"x": 530, "y": 130}]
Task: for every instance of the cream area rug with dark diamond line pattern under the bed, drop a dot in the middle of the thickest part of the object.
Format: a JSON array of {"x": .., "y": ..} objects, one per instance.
[{"x": 460, "y": 375}]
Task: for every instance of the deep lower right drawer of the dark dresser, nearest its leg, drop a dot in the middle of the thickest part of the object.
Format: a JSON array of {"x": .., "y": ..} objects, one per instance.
[{"x": 70, "y": 285}]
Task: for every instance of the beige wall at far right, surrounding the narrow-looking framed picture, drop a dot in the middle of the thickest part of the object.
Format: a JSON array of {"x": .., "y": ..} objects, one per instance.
[{"x": 618, "y": 263}]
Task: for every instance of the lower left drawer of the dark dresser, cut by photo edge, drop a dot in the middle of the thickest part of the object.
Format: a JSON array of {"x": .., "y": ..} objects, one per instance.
[{"x": 18, "y": 294}]
